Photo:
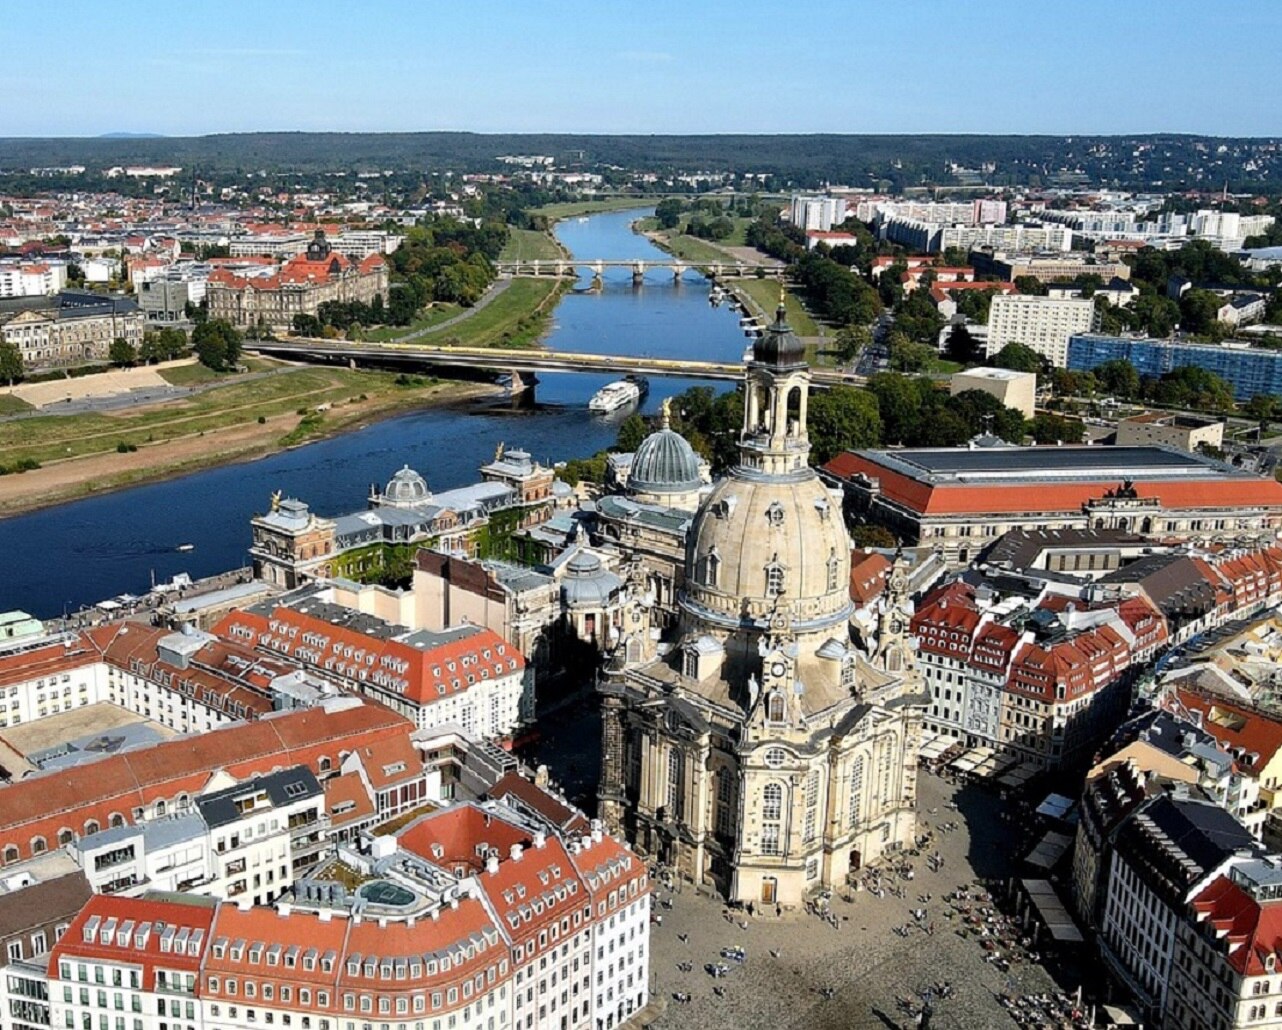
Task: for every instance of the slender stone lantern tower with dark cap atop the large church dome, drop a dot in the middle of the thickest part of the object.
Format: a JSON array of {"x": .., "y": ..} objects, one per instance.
[{"x": 778, "y": 388}]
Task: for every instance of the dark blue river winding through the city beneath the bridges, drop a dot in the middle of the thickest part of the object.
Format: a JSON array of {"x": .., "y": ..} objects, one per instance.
[{"x": 88, "y": 551}]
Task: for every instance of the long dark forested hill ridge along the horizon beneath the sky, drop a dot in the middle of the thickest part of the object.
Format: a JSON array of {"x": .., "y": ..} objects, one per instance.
[{"x": 1167, "y": 161}]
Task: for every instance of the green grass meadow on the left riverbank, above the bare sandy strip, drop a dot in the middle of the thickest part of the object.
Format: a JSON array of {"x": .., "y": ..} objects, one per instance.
[{"x": 239, "y": 402}]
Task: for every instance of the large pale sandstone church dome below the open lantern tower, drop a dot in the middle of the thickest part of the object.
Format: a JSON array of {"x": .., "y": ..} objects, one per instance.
[{"x": 762, "y": 543}]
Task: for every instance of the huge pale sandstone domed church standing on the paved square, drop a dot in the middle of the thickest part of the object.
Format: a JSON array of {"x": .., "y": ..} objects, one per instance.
[{"x": 760, "y": 750}]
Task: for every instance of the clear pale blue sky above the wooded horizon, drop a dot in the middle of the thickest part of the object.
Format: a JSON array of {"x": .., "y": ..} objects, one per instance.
[{"x": 657, "y": 67}]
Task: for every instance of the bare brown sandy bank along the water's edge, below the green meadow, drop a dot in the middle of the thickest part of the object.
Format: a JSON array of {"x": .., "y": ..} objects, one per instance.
[{"x": 70, "y": 479}]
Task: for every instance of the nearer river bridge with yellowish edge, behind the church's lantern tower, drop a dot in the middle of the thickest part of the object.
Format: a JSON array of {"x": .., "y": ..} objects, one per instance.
[{"x": 522, "y": 365}]
